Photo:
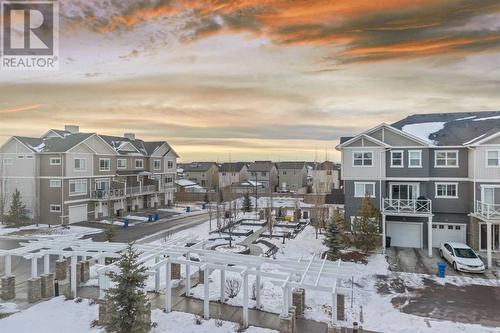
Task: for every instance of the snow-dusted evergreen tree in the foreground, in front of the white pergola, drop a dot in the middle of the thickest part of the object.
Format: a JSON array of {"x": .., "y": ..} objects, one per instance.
[{"x": 127, "y": 300}]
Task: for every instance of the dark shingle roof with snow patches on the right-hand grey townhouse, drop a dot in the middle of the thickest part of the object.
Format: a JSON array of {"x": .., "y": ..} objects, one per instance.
[{"x": 450, "y": 129}]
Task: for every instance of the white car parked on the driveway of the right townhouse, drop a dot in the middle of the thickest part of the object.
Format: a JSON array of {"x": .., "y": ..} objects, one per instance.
[{"x": 461, "y": 257}]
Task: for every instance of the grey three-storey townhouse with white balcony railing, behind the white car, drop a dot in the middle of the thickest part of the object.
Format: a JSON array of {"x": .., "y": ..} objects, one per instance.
[{"x": 434, "y": 178}]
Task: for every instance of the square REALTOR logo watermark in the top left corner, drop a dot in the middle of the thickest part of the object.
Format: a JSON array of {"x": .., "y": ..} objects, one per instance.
[{"x": 29, "y": 35}]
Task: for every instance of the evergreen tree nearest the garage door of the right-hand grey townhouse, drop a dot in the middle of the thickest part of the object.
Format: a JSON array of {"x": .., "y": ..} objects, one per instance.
[{"x": 365, "y": 234}]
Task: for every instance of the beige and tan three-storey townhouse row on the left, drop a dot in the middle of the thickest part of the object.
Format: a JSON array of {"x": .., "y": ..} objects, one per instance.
[{"x": 68, "y": 176}]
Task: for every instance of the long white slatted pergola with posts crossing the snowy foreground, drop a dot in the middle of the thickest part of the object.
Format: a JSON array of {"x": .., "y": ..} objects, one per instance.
[{"x": 289, "y": 274}]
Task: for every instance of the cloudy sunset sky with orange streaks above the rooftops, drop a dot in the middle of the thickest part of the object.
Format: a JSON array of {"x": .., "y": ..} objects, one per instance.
[{"x": 248, "y": 79}]
